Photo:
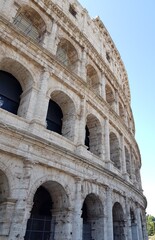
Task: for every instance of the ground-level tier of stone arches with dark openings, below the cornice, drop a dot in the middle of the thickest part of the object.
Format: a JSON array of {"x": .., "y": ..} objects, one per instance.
[{"x": 55, "y": 206}]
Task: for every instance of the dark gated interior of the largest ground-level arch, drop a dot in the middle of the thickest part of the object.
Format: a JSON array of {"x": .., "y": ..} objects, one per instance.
[{"x": 39, "y": 226}]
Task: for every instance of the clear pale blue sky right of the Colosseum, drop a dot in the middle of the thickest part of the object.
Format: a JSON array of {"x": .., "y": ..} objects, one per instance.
[{"x": 131, "y": 24}]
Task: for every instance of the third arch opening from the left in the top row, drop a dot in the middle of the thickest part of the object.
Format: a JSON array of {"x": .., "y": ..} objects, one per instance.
[{"x": 92, "y": 78}]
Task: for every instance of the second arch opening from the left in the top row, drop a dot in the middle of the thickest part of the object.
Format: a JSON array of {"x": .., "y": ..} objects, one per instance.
[{"x": 67, "y": 54}]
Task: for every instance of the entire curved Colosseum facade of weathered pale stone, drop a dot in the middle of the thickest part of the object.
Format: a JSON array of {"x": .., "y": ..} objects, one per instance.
[{"x": 69, "y": 162}]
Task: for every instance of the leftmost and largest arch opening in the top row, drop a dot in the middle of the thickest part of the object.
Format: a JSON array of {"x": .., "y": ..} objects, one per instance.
[{"x": 29, "y": 21}]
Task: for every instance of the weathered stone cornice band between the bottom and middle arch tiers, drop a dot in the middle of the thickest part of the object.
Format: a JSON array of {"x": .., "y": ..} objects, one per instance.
[{"x": 59, "y": 151}]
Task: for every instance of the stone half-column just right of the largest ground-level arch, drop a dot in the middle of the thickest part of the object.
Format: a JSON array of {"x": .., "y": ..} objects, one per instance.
[{"x": 77, "y": 220}]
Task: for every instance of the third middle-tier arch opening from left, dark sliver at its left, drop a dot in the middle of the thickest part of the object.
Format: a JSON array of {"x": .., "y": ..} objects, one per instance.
[{"x": 93, "y": 134}]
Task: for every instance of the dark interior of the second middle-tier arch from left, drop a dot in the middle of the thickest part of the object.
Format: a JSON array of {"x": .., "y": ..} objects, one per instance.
[{"x": 54, "y": 117}]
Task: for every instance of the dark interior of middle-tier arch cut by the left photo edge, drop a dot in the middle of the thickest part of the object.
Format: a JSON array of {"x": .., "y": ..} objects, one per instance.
[{"x": 10, "y": 91}]
